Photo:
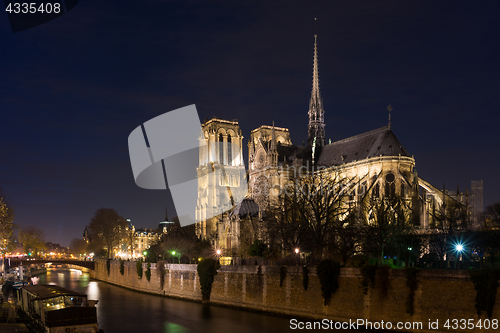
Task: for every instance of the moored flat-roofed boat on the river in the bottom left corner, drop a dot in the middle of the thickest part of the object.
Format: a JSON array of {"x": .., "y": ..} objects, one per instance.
[{"x": 53, "y": 309}]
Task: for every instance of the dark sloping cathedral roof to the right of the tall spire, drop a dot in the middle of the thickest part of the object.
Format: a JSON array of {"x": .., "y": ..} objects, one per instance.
[{"x": 379, "y": 142}]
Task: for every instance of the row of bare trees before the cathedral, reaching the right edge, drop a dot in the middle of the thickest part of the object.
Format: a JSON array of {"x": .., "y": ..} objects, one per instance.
[{"x": 320, "y": 215}]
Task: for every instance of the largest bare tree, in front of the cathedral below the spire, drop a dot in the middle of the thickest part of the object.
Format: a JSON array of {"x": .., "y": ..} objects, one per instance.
[{"x": 309, "y": 211}]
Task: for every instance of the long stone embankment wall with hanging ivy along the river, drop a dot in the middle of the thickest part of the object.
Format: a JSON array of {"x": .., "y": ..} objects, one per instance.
[{"x": 441, "y": 295}]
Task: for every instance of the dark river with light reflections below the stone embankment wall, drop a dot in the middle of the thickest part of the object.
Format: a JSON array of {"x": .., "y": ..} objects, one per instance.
[{"x": 121, "y": 310}]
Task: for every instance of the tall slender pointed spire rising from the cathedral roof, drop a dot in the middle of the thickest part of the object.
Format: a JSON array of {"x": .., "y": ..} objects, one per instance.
[{"x": 316, "y": 113}]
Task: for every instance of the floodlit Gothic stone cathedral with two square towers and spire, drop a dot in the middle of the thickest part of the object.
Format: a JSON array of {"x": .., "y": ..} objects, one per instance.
[{"x": 376, "y": 159}]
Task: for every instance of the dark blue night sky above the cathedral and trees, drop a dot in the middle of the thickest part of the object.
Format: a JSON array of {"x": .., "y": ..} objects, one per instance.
[{"x": 73, "y": 89}]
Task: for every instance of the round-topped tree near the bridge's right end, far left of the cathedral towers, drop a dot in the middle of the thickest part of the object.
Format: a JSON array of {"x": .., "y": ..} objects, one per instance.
[{"x": 108, "y": 226}]
